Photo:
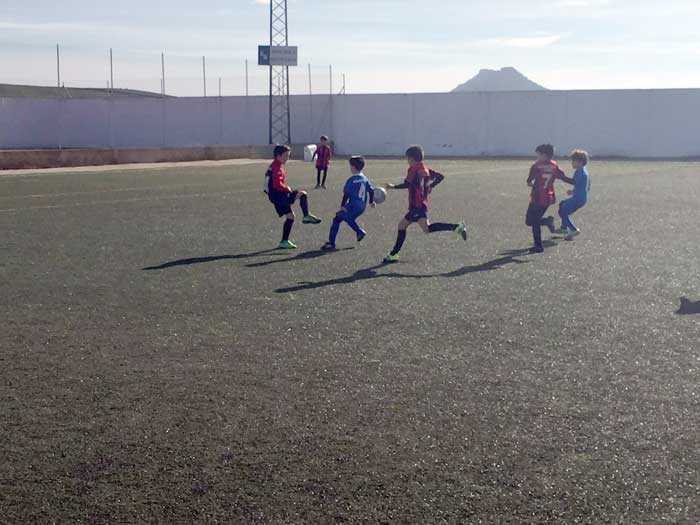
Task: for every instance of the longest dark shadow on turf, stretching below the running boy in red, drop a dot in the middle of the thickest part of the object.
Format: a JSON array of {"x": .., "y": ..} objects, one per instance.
[{"x": 373, "y": 273}]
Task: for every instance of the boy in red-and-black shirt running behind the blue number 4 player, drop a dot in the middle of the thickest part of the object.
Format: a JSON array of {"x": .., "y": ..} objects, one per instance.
[{"x": 419, "y": 182}]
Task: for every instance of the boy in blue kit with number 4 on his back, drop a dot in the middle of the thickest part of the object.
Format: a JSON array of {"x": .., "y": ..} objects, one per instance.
[{"x": 358, "y": 190}]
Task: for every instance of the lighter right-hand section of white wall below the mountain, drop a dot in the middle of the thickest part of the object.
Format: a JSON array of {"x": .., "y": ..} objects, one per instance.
[{"x": 656, "y": 123}]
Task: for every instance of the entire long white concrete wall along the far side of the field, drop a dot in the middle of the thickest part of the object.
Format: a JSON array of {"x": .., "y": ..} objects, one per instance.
[{"x": 629, "y": 123}]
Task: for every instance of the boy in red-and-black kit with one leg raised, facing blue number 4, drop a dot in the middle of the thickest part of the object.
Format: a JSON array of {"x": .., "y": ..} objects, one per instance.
[{"x": 282, "y": 196}]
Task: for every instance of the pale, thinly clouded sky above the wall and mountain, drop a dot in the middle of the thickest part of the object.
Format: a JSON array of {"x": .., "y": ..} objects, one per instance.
[{"x": 380, "y": 46}]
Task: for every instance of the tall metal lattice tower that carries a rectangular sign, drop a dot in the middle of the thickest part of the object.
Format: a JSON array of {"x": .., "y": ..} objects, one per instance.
[{"x": 280, "y": 125}]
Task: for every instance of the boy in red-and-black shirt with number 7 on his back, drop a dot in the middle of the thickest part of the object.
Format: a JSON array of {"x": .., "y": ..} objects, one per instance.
[{"x": 541, "y": 179}]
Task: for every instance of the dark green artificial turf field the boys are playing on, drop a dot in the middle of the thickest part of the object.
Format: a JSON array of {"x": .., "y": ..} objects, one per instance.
[{"x": 232, "y": 383}]
